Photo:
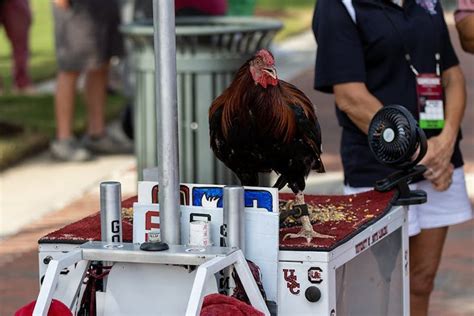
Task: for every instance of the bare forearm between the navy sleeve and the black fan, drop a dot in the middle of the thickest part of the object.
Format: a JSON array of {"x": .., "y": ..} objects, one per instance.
[{"x": 357, "y": 102}]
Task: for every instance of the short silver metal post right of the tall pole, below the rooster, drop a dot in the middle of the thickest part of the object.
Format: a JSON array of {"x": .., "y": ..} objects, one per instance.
[{"x": 234, "y": 216}]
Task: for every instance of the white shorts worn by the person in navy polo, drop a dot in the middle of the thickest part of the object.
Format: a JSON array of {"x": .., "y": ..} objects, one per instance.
[{"x": 442, "y": 209}]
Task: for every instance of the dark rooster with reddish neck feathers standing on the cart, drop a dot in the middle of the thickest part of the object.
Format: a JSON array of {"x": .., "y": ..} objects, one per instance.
[{"x": 261, "y": 123}]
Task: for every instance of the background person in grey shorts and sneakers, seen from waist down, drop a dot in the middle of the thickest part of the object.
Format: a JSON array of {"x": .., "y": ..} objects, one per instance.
[{"x": 86, "y": 37}]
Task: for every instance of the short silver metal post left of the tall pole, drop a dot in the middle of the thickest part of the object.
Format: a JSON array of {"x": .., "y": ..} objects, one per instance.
[{"x": 110, "y": 211}]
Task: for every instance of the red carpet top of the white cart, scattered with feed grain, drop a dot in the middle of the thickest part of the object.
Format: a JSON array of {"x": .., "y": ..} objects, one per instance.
[{"x": 341, "y": 216}]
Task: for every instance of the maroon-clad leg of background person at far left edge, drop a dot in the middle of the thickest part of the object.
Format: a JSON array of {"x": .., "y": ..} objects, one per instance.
[{"x": 15, "y": 16}]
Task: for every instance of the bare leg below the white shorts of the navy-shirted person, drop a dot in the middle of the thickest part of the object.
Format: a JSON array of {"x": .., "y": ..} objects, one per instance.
[{"x": 425, "y": 256}]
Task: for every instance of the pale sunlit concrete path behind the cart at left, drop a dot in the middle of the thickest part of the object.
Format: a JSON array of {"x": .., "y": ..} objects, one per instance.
[{"x": 39, "y": 185}]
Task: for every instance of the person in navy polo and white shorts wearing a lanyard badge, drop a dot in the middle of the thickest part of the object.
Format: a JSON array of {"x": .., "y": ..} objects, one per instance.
[{"x": 373, "y": 53}]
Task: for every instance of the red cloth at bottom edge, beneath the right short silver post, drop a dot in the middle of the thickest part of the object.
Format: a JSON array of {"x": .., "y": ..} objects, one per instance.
[{"x": 221, "y": 305}]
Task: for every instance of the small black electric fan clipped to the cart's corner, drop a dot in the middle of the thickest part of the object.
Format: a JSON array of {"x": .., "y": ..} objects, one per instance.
[{"x": 398, "y": 142}]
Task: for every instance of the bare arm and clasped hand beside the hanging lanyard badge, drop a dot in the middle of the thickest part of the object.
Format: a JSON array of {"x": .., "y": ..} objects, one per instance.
[{"x": 440, "y": 148}]
